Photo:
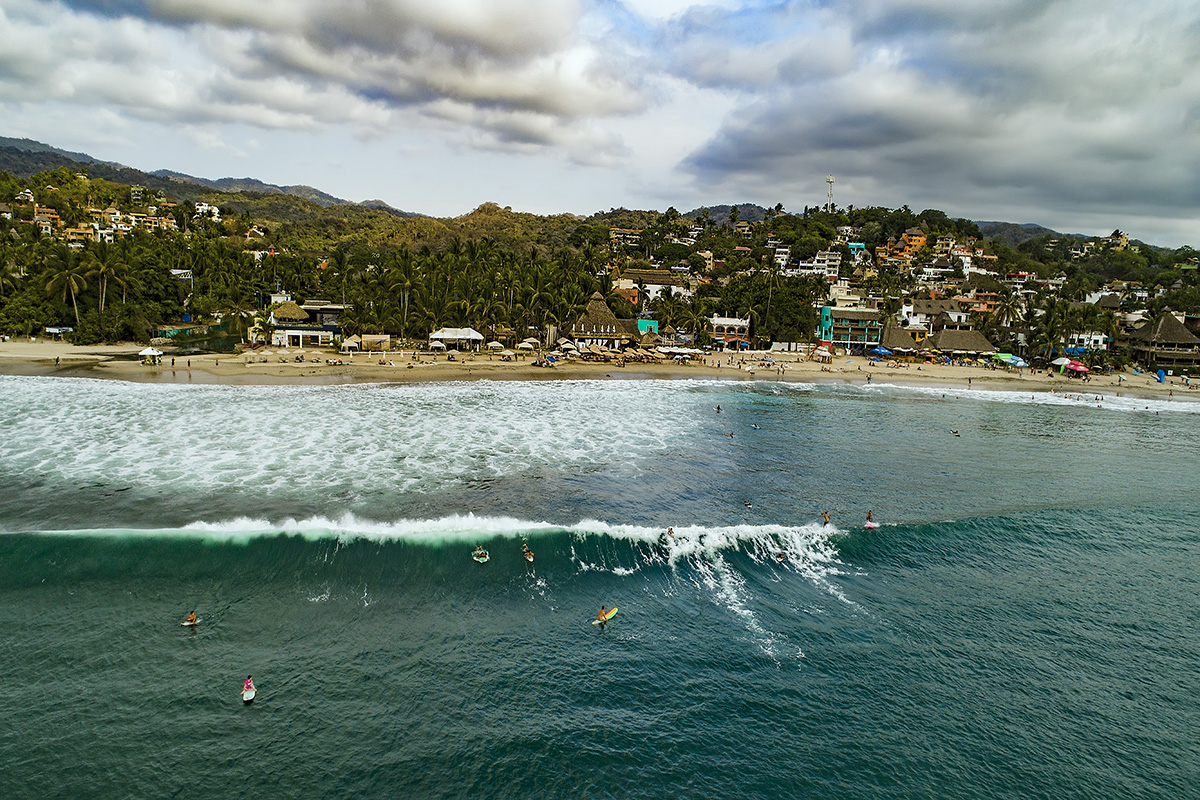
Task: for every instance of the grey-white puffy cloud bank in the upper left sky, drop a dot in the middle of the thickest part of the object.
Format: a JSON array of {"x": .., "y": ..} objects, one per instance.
[{"x": 309, "y": 64}]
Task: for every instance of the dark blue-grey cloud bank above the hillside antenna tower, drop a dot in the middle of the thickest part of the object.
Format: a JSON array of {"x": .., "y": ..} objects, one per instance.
[{"x": 1036, "y": 107}]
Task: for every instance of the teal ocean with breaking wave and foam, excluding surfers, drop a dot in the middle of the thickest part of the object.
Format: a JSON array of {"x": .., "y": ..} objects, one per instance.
[{"x": 1025, "y": 623}]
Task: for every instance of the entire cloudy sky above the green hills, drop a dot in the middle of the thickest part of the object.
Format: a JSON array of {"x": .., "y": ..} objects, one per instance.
[{"x": 1083, "y": 116}]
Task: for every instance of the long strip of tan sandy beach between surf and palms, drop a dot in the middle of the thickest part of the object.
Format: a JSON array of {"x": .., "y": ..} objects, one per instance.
[{"x": 122, "y": 363}]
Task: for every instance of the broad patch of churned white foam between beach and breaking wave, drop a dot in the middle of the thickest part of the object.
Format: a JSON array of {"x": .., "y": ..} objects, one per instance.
[{"x": 417, "y": 438}]
